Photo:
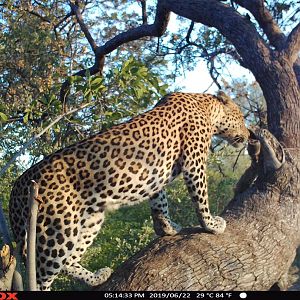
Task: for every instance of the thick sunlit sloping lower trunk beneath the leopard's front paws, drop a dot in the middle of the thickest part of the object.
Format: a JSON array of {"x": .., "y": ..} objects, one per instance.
[{"x": 255, "y": 252}]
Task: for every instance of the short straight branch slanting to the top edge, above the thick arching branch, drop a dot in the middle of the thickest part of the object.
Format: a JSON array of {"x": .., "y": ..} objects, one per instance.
[{"x": 265, "y": 20}]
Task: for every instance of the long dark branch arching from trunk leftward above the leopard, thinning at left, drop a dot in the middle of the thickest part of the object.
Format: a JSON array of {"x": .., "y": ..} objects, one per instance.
[{"x": 208, "y": 12}]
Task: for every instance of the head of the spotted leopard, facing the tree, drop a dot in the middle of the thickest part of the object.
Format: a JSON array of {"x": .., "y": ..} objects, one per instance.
[{"x": 231, "y": 125}]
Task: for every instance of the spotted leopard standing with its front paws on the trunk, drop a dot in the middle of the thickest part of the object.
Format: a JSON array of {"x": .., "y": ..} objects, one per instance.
[{"x": 128, "y": 163}]
